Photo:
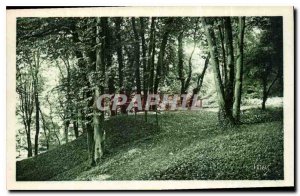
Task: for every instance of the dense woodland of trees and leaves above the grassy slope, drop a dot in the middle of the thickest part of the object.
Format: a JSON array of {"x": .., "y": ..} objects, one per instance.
[{"x": 63, "y": 64}]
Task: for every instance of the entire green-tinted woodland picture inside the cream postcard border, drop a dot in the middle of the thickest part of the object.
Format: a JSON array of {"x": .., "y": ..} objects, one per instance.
[{"x": 149, "y": 98}]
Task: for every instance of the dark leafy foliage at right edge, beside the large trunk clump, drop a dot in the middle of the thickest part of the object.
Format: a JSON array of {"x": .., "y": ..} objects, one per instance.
[{"x": 263, "y": 56}]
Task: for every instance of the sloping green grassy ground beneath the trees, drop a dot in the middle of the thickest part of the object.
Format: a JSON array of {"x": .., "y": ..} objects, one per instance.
[{"x": 186, "y": 145}]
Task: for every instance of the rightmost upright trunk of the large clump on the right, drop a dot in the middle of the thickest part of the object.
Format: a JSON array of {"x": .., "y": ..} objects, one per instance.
[{"x": 239, "y": 71}]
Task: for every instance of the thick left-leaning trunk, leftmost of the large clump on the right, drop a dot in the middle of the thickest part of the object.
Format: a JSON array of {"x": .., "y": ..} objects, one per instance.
[{"x": 224, "y": 116}]
